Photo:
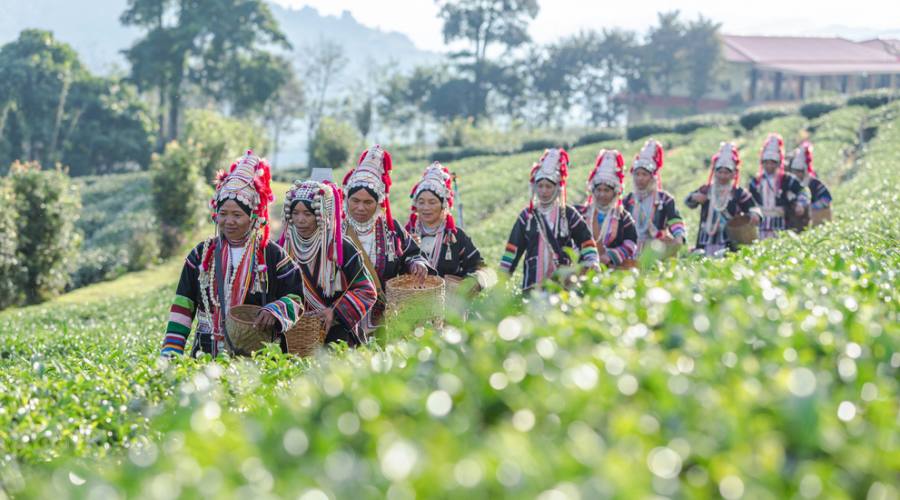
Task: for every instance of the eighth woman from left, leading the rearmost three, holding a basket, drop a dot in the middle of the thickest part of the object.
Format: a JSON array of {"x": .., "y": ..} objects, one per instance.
[{"x": 720, "y": 201}]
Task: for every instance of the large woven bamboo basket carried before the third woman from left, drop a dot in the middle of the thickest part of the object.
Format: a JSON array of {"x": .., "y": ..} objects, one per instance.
[{"x": 404, "y": 293}]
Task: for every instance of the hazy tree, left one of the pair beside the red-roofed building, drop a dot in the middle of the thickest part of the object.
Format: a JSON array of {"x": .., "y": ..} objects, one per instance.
[{"x": 664, "y": 51}]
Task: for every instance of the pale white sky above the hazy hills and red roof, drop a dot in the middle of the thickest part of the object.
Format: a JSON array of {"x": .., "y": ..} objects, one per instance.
[{"x": 558, "y": 18}]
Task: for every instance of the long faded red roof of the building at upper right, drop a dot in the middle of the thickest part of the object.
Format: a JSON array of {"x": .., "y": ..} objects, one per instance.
[{"x": 809, "y": 55}]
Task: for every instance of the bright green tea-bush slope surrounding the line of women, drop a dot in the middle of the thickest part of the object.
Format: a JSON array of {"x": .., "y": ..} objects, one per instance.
[{"x": 771, "y": 373}]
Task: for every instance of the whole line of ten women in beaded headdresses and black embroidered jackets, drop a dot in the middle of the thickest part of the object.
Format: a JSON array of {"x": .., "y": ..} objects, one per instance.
[{"x": 340, "y": 245}]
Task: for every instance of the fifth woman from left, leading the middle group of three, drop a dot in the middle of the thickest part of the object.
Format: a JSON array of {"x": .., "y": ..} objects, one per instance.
[{"x": 542, "y": 232}]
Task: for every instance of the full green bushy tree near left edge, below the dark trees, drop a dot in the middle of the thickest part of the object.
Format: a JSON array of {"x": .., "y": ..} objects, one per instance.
[{"x": 47, "y": 206}]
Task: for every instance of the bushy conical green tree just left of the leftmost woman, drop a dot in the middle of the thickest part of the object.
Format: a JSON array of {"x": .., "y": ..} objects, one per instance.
[{"x": 178, "y": 194}]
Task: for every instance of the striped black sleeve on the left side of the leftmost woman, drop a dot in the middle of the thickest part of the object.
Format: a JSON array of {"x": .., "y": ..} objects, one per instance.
[{"x": 184, "y": 307}]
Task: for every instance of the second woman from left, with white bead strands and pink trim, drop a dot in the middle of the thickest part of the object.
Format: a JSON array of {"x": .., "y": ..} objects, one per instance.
[{"x": 336, "y": 285}]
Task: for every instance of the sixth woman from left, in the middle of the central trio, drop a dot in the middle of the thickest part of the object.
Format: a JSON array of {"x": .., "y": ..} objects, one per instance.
[{"x": 611, "y": 226}]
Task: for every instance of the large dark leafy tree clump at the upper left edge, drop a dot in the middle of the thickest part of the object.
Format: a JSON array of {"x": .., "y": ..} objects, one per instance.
[{"x": 53, "y": 110}]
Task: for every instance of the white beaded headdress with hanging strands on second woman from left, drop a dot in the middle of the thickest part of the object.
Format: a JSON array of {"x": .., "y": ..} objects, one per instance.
[{"x": 325, "y": 200}]
